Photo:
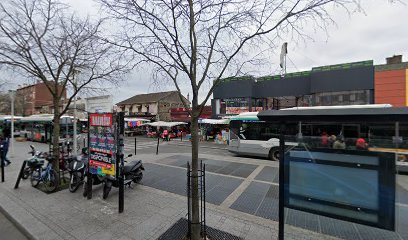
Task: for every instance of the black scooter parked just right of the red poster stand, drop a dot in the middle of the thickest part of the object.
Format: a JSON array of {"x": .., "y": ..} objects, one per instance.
[{"x": 133, "y": 172}]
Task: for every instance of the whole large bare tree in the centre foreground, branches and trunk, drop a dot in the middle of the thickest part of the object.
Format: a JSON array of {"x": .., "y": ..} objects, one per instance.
[{"x": 208, "y": 40}]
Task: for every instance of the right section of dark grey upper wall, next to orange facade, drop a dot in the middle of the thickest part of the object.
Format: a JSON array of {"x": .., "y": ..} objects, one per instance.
[{"x": 342, "y": 80}]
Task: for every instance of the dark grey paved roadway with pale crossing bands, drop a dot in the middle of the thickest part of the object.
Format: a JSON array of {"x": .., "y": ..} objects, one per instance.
[{"x": 256, "y": 186}]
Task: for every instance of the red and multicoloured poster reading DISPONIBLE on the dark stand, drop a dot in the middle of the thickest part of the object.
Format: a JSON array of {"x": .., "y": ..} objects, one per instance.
[{"x": 102, "y": 144}]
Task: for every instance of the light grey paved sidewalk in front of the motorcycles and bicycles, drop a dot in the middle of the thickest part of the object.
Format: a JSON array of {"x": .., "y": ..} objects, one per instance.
[{"x": 148, "y": 212}]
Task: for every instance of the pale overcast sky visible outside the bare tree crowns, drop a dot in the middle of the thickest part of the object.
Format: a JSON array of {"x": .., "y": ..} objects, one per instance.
[{"x": 381, "y": 31}]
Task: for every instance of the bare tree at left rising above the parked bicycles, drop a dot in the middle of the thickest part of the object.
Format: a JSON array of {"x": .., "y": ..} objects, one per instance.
[{"x": 45, "y": 41}]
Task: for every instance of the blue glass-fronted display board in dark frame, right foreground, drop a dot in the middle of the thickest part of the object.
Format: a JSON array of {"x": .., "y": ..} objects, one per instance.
[{"x": 356, "y": 186}]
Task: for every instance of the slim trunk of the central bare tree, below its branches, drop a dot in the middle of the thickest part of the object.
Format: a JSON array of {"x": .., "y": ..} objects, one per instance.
[{"x": 195, "y": 228}]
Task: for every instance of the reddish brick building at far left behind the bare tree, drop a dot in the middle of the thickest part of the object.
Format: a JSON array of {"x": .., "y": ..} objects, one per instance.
[{"x": 35, "y": 99}]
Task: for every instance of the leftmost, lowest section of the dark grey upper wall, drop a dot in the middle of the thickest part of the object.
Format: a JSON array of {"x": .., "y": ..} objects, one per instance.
[{"x": 231, "y": 89}]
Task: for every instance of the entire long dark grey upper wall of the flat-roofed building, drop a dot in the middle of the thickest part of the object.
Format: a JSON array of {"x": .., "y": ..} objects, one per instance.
[{"x": 319, "y": 81}]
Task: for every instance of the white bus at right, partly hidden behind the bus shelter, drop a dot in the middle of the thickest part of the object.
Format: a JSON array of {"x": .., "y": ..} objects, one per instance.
[{"x": 251, "y": 137}]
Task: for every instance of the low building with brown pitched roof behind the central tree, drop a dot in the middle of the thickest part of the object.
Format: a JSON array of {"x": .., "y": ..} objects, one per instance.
[{"x": 152, "y": 106}]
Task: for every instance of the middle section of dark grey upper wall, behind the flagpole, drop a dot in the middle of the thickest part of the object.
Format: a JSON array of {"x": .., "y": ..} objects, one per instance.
[{"x": 283, "y": 87}]
